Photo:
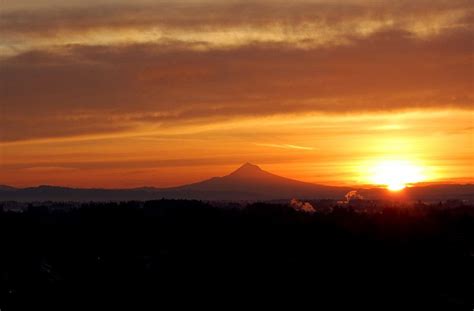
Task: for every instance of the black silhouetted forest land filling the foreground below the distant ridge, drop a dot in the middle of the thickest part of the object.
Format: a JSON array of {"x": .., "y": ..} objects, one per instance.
[{"x": 155, "y": 254}]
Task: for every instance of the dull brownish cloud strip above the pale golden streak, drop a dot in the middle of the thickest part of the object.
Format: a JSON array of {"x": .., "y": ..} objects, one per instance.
[{"x": 205, "y": 14}]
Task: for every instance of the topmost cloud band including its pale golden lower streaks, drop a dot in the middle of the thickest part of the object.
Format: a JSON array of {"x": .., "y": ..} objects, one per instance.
[{"x": 215, "y": 23}]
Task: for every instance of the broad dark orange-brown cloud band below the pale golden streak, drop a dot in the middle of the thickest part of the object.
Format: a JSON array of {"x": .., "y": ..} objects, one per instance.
[{"x": 84, "y": 90}]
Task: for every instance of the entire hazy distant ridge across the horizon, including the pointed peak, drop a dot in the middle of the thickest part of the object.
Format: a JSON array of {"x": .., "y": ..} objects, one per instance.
[{"x": 248, "y": 183}]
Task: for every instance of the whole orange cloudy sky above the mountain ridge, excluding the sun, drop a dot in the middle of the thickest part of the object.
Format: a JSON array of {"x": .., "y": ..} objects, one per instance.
[{"x": 162, "y": 93}]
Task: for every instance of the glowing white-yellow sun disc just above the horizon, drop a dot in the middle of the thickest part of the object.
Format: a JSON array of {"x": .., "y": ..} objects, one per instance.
[{"x": 395, "y": 175}]
